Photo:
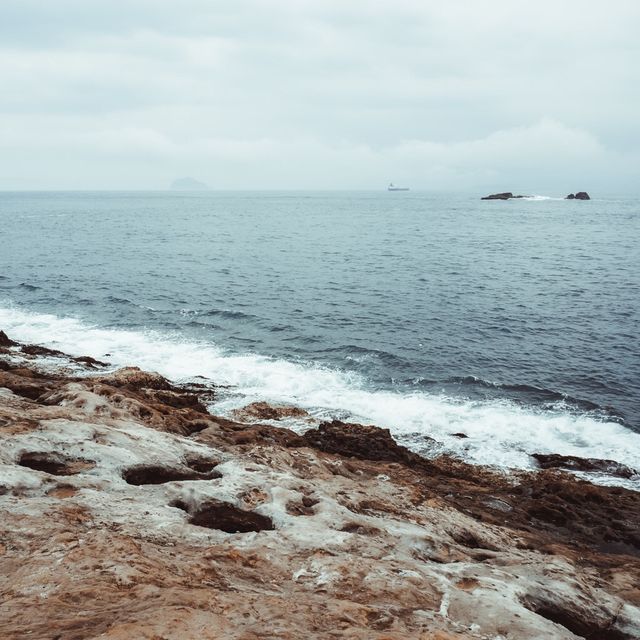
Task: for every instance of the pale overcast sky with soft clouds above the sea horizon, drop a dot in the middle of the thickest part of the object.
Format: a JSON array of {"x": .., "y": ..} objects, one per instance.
[{"x": 538, "y": 97}]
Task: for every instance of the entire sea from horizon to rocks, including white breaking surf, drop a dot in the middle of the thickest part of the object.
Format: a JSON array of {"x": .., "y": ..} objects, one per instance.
[{"x": 513, "y": 322}]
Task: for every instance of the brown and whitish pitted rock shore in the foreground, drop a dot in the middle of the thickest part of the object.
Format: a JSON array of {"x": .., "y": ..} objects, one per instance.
[{"x": 129, "y": 511}]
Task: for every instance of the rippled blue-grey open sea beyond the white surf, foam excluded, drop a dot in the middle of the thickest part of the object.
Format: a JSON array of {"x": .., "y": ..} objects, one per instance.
[{"x": 535, "y": 302}]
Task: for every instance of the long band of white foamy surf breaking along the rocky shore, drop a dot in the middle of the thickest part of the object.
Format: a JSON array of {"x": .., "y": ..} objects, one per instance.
[{"x": 500, "y": 432}]
